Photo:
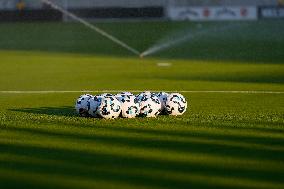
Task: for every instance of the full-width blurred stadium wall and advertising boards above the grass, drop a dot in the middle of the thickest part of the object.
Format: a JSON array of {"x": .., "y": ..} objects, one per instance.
[{"x": 143, "y": 9}]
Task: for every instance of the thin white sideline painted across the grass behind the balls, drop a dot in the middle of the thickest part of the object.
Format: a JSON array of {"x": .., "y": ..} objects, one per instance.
[{"x": 137, "y": 91}]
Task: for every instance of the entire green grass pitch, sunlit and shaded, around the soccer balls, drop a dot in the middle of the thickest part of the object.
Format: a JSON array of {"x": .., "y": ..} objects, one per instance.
[{"x": 224, "y": 140}]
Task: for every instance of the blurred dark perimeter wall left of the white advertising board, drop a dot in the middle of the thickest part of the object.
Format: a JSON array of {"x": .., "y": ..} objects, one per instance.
[{"x": 88, "y": 9}]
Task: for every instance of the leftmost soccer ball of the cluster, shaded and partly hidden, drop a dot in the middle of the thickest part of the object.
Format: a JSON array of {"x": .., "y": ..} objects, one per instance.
[{"x": 82, "y": 105}]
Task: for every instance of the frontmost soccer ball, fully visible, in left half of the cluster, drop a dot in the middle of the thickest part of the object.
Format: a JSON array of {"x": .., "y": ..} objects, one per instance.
[{"x": 110, "y": 108}]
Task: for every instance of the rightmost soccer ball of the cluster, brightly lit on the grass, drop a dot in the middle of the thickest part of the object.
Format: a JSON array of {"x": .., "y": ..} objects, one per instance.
[{"x": 176, "y": 104}]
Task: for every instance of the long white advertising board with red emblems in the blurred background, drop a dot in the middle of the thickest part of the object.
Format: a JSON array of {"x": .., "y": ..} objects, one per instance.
[{"x": 213, "y": 13}]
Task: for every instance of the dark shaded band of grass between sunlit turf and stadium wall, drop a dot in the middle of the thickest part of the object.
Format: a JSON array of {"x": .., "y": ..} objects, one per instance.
[{"x": 257, "y": 42}]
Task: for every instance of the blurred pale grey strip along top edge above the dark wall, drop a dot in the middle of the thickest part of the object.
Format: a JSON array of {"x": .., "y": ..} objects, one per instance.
[{"x": 37, "y": 4}]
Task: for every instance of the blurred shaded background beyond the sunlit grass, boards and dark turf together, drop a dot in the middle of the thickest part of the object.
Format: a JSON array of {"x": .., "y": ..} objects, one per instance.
[{"x": 148, "y": 24}]
